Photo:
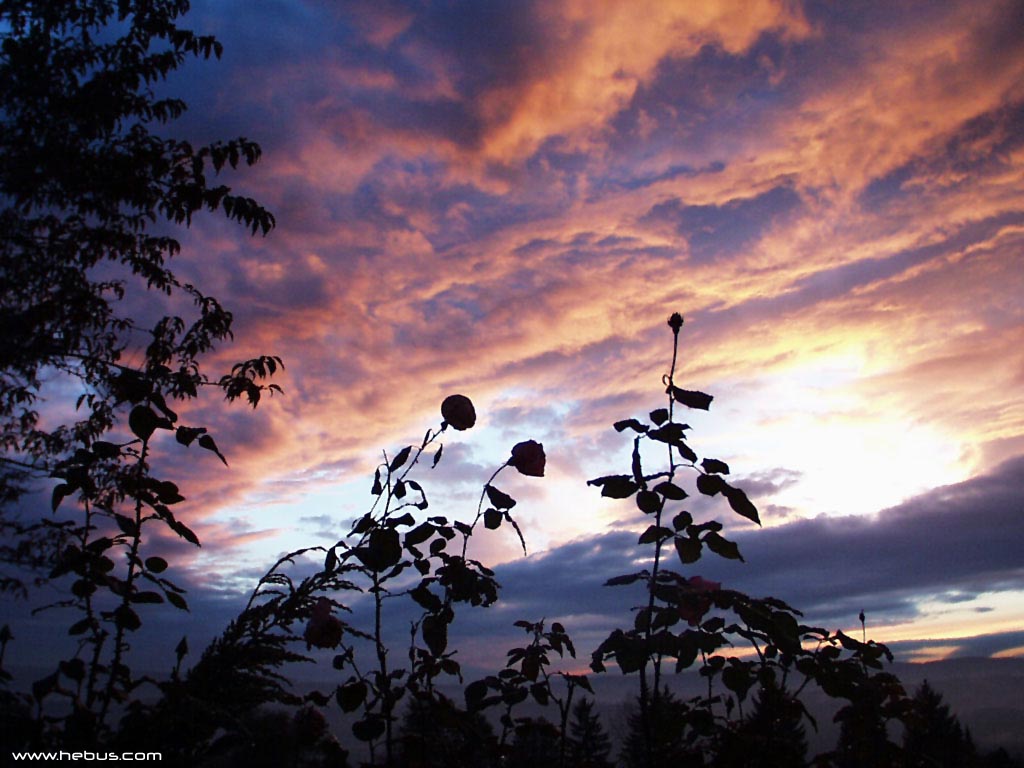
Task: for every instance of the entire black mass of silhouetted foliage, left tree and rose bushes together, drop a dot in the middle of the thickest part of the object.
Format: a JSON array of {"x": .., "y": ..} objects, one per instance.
[{"x": 86, "y": 178}]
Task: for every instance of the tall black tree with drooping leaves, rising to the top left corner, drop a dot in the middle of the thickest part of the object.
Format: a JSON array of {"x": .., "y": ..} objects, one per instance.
[{"x": 84, "y": 176}]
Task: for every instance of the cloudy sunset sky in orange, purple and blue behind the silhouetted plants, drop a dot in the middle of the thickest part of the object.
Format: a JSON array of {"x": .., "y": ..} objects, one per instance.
[{"x": 507, "y": 200}]
